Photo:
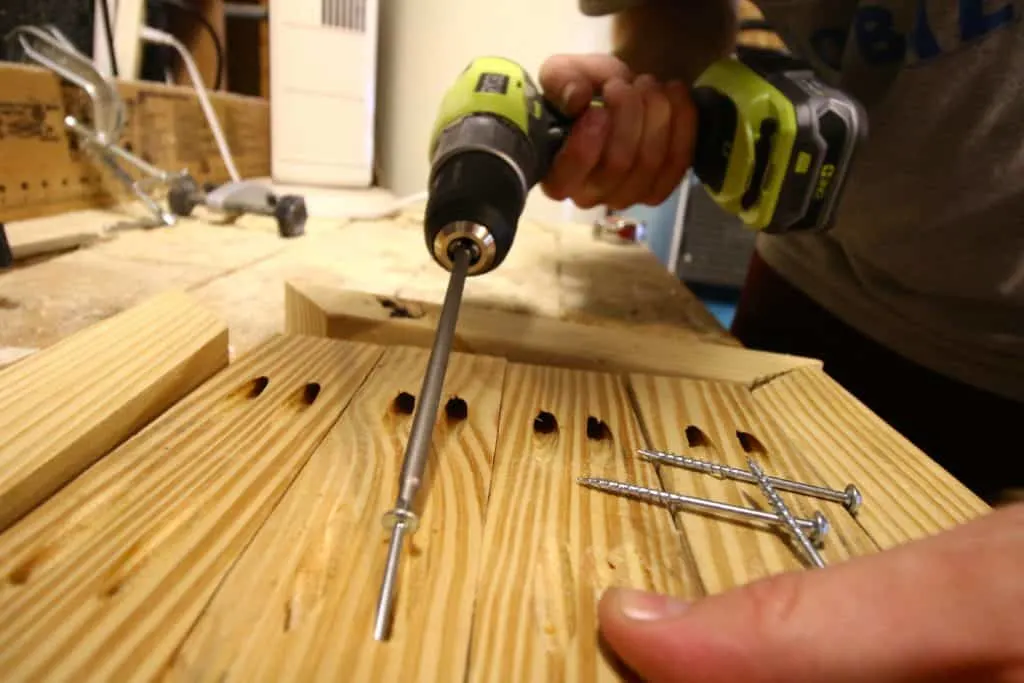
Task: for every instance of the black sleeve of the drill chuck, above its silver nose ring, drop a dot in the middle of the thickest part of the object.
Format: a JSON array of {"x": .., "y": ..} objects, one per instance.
[{"x": 477, "y": 187}]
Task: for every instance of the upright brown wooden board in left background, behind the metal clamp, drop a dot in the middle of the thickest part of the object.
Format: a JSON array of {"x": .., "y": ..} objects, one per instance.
[{"x": 44, "y": 170}]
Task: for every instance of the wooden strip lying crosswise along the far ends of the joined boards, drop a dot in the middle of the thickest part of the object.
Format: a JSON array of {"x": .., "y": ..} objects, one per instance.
[{"x": 318, "y": 310}]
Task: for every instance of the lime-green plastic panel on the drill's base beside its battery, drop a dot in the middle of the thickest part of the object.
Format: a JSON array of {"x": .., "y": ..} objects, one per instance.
[{"x": 756, "y": 101}]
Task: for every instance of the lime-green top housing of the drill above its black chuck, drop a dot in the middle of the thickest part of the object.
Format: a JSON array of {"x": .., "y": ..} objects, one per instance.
[{"x": 462, "y": 100}]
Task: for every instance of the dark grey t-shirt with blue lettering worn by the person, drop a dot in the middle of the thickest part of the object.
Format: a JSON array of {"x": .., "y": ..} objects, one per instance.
[{"x": 927, "y": 257}]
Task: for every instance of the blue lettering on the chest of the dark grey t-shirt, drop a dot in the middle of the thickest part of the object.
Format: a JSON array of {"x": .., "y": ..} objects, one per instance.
[{"x": 880, "y": 42}]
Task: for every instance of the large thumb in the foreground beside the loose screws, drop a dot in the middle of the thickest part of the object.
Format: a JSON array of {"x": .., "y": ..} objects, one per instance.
[{"x": 945, "y": 609}]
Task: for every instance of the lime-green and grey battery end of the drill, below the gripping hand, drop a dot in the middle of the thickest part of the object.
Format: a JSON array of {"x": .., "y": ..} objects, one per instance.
[{"x": 775, "y": 145}]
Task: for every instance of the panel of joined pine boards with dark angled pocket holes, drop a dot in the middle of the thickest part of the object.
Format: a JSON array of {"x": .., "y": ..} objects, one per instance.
[{"x": 215, "y": 545}]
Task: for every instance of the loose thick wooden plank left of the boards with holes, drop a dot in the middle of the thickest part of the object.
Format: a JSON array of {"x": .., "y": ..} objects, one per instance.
[{"x": 62, "y": 409}]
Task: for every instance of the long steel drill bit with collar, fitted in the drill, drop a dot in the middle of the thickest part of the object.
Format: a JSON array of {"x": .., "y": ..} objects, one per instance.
[{"x": 403, "y": 519}]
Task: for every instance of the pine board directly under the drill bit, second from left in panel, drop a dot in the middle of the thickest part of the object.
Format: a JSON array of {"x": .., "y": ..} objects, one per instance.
[{"x": 300, "y": 605}]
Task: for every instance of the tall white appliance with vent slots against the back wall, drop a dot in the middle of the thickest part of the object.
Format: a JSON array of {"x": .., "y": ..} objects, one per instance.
[{"x": 323, "y": 92}]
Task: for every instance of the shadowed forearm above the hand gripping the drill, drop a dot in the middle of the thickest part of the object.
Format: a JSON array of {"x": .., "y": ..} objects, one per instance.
[{"x": 671, "y": 39}]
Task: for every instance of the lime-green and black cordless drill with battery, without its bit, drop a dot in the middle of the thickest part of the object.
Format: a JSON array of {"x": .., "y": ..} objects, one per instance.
[{"x": 774, "y": 148}]
